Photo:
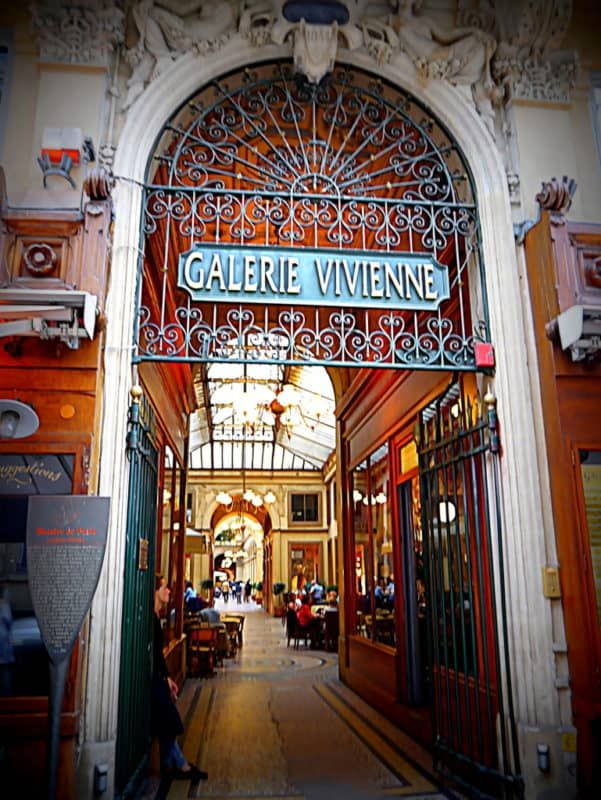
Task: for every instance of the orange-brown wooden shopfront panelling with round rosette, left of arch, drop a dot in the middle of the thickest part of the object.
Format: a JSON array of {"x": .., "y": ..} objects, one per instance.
[{"x": 65, "y": 388}]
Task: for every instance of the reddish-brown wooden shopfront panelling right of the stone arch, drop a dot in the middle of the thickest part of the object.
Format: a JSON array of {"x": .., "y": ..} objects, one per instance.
[{"x": 562, "y": 263}]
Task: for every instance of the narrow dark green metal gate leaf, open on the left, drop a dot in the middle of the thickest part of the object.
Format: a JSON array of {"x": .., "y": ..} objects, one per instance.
[{"x": 133, "y": 736}]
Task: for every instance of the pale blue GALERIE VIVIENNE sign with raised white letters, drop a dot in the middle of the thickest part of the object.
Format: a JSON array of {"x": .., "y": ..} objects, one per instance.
[{"x": 347, "y": 278}]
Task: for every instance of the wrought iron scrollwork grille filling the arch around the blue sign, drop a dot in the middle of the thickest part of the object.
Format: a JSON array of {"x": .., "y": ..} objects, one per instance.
[{"x": 265, "y": 159}]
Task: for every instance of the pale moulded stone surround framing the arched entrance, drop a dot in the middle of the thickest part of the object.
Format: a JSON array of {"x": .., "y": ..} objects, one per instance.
[{"x": 143, "y": 125}]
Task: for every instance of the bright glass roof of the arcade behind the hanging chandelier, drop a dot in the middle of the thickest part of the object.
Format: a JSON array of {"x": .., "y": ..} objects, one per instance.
[{"x": 262, "y": 417}]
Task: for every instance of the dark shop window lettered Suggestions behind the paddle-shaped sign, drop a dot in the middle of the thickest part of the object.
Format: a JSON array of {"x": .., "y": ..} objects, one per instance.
[{"x": 23, "y": 659}]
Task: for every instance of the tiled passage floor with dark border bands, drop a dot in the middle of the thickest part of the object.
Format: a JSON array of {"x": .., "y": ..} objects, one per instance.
[{"x": 277, "y": 723}]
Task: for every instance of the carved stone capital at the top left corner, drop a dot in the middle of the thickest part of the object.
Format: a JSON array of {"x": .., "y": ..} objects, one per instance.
[{"x": 78, "y": 31}]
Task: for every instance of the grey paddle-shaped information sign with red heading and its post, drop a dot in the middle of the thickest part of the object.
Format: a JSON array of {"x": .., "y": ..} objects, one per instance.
[{"x": 66, "y": 540}]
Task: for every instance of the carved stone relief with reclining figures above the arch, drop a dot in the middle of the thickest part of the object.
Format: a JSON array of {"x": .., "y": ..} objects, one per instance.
[{"x": 499, "y": 50}]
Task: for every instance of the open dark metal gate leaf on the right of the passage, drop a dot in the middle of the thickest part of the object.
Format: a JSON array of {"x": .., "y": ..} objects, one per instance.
[{"x": 469, "y": 675}]
